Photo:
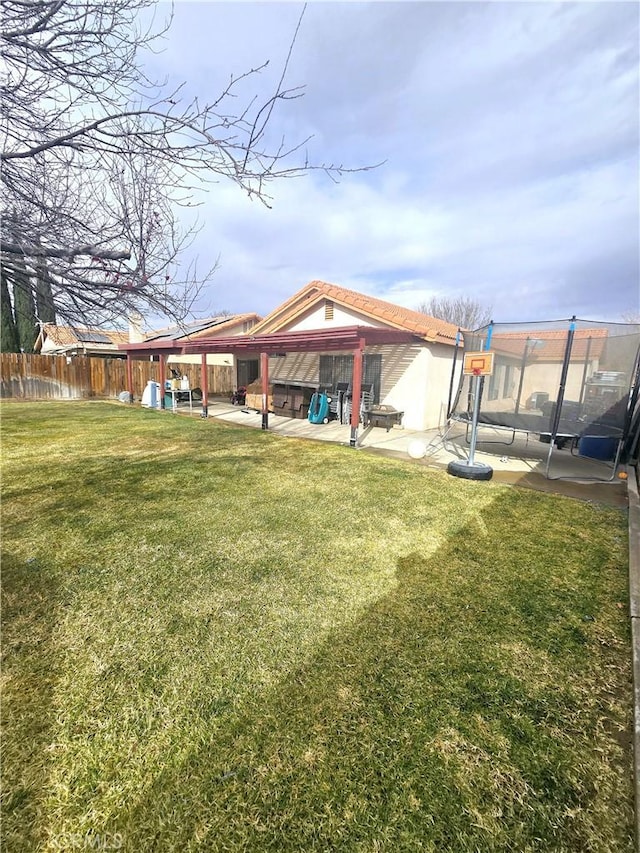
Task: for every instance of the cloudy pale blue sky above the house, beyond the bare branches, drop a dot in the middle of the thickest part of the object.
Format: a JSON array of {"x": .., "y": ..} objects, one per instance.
[{"x": 508, "y": 135}]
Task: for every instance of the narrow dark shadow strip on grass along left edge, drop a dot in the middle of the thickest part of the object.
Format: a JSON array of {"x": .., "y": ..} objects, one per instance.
[{"x": 30, "y": 612}]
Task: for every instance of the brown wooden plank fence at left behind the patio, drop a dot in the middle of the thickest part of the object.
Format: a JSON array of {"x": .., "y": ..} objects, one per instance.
[{"x": 46, "y": 377}]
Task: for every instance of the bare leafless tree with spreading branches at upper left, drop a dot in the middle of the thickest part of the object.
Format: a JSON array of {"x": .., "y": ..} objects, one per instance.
[{"x": 97, "y": 159}]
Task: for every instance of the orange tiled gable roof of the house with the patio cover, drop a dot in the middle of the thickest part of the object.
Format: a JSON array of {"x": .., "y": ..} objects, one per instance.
[{"x": 394, "y": 316}]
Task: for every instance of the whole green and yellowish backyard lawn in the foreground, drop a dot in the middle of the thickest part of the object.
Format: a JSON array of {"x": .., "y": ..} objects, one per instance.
[{"x": 220, "y": 639}]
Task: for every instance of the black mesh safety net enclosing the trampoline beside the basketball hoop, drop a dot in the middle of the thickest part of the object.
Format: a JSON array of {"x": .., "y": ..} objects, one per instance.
[{"x": 562, "y": 380}]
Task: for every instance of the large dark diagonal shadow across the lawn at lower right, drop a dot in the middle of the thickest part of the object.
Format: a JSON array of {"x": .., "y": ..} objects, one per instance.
[{"x": 468, "y": 710}]
